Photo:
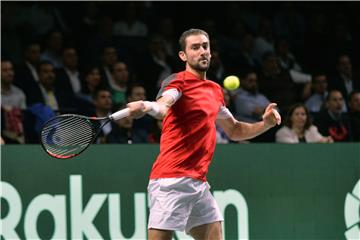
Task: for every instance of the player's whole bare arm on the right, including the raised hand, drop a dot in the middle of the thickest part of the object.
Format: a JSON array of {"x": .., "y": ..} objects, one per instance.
[{"x": 237, "y": 130}]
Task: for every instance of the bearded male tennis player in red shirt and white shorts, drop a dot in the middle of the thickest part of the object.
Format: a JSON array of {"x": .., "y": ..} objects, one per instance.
[{"x": 190, "y": 104}]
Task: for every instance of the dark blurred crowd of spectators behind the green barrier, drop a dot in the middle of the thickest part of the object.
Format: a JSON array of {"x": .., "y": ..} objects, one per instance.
[{"x": 91, "y": 58}]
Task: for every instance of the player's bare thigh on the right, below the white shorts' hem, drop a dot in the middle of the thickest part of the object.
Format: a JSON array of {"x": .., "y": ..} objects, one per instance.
[{"x": 207, "y": 231}]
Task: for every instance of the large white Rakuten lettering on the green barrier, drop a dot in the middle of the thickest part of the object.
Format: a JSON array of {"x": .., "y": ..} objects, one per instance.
[{"x": 82, "y": 215}]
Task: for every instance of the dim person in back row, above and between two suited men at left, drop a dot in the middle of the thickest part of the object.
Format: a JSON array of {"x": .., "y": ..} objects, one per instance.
[{"x": 52, "y": 52}]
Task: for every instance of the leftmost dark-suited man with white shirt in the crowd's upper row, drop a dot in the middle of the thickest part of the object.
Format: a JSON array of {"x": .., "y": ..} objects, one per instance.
[{"x": 26, "y": 73}]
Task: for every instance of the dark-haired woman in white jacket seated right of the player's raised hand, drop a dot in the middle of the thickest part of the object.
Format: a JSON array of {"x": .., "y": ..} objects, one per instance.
[{"x": 299, "y": 129}]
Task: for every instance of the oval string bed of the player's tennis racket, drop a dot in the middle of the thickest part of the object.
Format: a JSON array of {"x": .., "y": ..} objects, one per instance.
[{"x": 67, "y": 136}]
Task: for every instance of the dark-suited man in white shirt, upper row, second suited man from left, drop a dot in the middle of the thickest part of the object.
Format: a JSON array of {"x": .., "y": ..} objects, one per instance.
[{"x": 68, "y": 77}]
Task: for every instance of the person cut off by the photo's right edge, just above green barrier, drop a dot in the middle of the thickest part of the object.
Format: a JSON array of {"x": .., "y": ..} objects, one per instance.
[{"x": 354, "y": 114}]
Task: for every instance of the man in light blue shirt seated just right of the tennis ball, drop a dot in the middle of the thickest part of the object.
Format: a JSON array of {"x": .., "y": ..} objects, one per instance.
[{"x": 249, "y": 102}]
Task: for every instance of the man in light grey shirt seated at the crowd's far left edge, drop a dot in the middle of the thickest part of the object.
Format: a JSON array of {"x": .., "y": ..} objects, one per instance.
[{"x": 13, "y": 101}]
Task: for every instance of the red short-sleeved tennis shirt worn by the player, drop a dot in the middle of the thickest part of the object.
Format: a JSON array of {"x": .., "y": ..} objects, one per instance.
[{"x": 188, "y": 137}]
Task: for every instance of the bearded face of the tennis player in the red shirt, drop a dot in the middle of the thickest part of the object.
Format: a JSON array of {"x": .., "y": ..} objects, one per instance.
[{"x": 197, "y": 52}]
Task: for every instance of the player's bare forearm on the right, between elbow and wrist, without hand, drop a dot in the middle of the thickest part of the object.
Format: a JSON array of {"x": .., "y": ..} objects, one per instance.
[{"x": 244, "y": 131}]
